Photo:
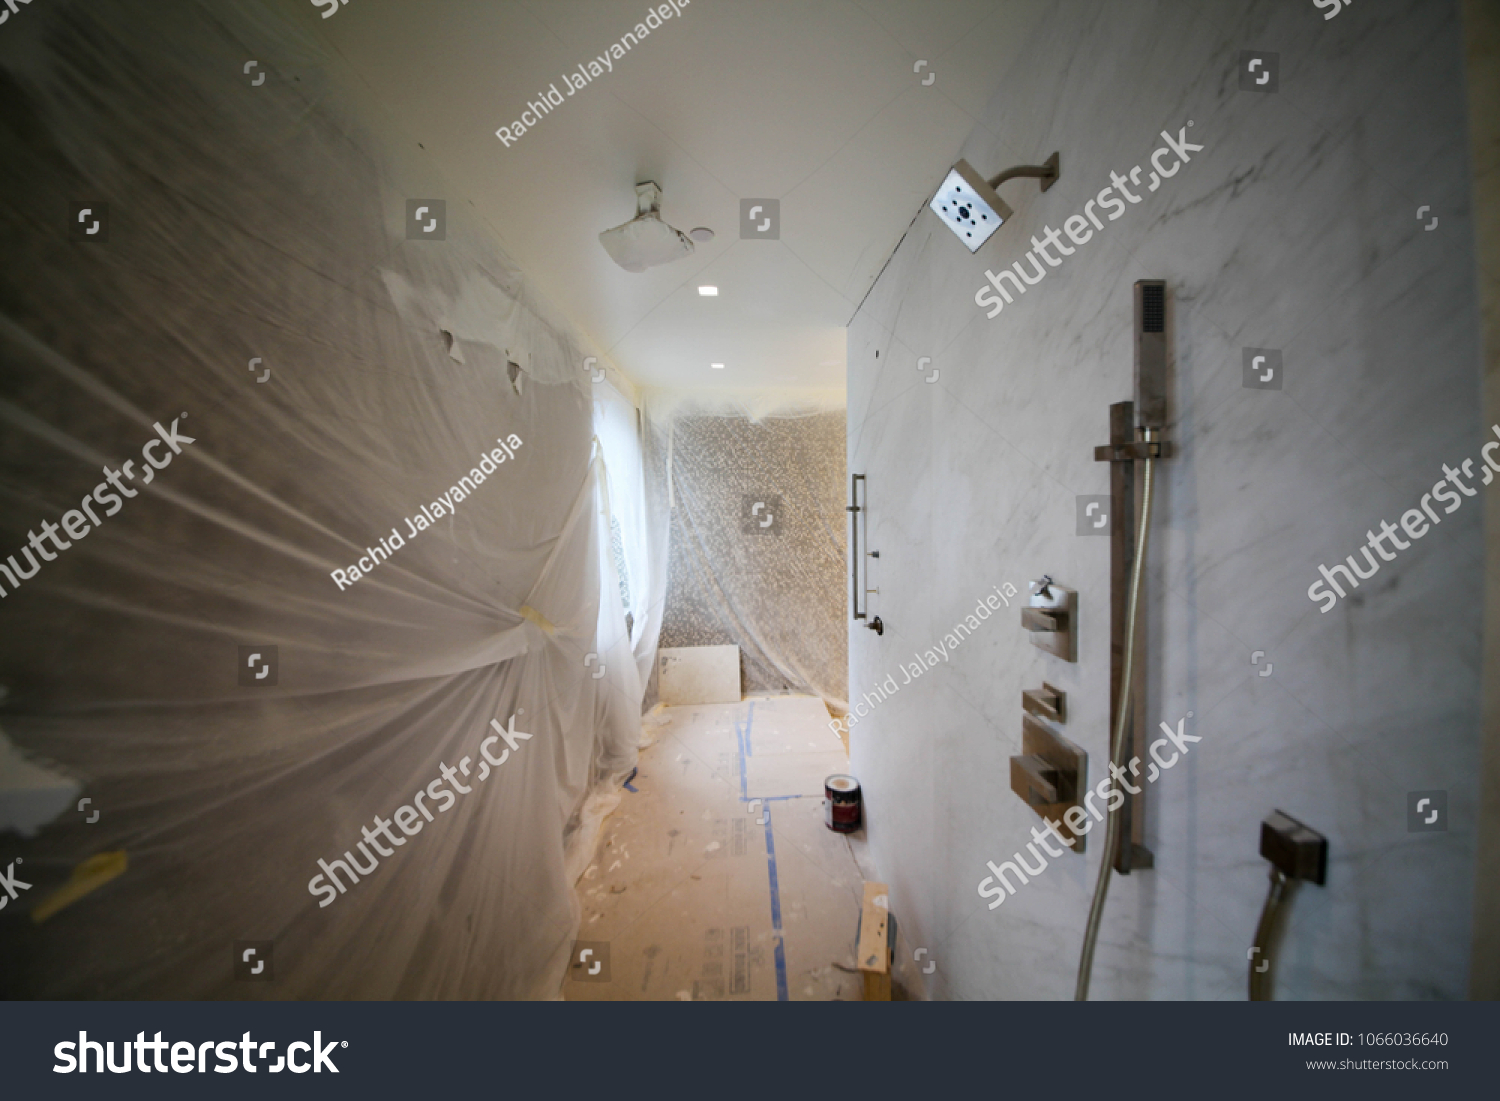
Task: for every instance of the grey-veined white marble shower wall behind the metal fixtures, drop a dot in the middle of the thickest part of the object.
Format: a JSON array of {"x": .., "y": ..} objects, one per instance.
[{"x": 1295, "y": 229}]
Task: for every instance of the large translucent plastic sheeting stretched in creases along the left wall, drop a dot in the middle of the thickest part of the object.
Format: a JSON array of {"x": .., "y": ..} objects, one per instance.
[{"x": 256, "y": 227}]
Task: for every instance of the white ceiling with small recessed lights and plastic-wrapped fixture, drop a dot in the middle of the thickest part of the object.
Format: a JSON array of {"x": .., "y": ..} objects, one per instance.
[{"x": 812, "y": 103}]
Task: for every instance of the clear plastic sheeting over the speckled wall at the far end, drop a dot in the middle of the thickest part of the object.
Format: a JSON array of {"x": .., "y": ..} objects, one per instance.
[{"x": 770, "y": 580}]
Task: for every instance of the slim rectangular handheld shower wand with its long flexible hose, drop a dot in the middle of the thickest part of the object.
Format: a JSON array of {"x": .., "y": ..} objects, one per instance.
[{"x": 1151, "y": 415}]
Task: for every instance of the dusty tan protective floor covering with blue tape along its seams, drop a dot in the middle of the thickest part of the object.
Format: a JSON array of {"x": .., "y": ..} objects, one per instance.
[{"x": 737, "y": 890}]
